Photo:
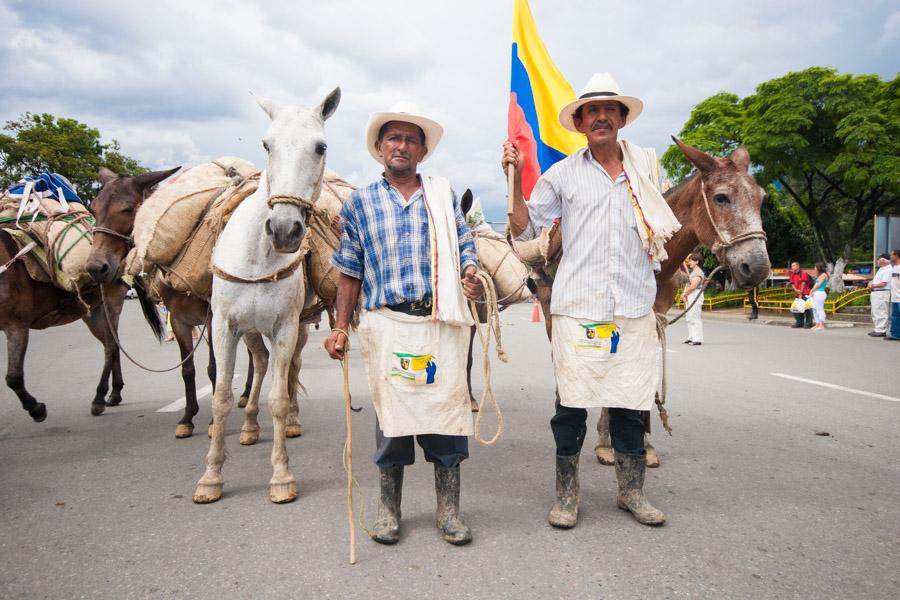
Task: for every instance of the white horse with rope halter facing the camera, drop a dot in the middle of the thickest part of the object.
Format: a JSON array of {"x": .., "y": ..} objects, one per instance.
[{"x": 259, "y": 288}]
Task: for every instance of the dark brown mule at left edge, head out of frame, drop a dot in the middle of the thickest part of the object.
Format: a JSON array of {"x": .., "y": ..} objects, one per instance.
[{"x": 27, "y": 304}]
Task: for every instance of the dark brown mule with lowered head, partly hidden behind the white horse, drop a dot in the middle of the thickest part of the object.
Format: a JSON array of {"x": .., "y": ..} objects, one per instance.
[{"x": 115, "y": 208}]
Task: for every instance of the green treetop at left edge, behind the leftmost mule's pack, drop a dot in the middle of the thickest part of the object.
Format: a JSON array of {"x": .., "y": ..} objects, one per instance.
[{"x": 66, "y": 146}]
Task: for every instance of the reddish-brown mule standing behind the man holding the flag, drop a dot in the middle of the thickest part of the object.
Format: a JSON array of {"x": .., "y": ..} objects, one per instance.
[{"x": 718, "y": 207}]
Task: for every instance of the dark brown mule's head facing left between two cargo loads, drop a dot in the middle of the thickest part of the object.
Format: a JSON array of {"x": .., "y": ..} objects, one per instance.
[{"x": 114, "y": 209}]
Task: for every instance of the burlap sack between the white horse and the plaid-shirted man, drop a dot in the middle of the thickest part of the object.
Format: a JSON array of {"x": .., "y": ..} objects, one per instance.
[{"x": 325, "y": 236}]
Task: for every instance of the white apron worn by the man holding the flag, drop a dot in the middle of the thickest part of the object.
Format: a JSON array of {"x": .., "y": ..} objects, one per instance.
[{"x": 606, "y": 364}]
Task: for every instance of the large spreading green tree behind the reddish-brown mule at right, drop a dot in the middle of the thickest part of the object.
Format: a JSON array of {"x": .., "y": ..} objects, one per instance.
[{"x": 830, "y": 141}]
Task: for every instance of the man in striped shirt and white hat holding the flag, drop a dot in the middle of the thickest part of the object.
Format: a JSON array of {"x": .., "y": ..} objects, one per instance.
[{"x": 605, "y": 346}]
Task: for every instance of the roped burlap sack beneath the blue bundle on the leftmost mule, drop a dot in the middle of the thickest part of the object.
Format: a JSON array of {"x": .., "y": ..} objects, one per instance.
[{"x": 64, "y": 240}]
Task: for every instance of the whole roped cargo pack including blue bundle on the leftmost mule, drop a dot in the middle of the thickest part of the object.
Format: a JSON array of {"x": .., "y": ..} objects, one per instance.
[{"x": 51, "y": 227}]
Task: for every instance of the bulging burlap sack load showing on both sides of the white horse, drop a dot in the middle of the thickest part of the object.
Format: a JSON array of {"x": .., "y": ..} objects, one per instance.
[{"x": 176, "y": 229}]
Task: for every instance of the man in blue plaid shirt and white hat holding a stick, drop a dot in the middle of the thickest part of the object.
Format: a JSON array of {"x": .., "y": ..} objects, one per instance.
[{"x": 386, "y": 253}]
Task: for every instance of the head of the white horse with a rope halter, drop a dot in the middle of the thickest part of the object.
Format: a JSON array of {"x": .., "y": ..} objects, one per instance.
[{"x": 295, "y": 145}]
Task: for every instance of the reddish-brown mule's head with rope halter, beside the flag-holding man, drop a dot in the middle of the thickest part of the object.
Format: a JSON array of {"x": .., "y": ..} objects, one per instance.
[{"x": 727, "y": 219}]
